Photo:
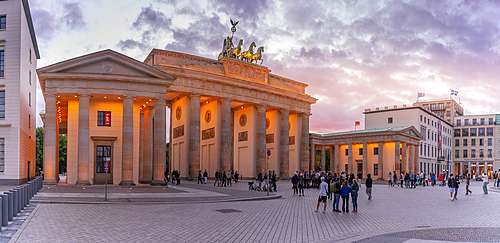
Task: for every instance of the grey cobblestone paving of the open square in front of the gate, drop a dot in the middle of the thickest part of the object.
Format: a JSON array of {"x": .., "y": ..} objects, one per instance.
[{"x": 290, "y": 219}]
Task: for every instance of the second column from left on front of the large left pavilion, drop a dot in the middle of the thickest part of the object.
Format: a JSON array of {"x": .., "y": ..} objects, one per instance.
[{"x": 83, "y": 139}]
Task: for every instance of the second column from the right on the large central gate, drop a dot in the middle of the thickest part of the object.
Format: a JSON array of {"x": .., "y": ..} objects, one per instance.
[{"x": 285, "y": 145}]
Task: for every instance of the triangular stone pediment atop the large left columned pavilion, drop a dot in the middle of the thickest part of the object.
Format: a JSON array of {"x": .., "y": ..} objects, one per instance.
[{"x": 106, "y": 62}]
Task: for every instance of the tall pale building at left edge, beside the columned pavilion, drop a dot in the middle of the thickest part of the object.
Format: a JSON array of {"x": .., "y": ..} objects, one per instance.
[{"x": 18, "y": 57}]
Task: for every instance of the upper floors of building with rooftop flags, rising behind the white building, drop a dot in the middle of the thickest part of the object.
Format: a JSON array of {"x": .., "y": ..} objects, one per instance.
[{"x": 446, "y": 109}]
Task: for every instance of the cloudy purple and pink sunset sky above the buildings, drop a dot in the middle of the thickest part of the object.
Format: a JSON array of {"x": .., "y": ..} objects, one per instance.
[{"x": 353, "y": 54}]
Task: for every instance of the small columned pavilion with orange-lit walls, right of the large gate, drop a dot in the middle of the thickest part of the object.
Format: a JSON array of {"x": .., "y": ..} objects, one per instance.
[{"x": 372, "y": 151}]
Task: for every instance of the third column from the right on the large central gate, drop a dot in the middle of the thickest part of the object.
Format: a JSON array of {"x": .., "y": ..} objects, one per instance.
[{"x": 261, "y": 139}]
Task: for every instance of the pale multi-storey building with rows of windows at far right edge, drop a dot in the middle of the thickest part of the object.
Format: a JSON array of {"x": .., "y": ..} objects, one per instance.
[{"x": 474, "y": 144}]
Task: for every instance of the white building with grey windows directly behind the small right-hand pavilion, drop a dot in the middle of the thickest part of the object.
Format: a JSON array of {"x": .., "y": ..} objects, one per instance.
[{"x": 435, "y": 147}]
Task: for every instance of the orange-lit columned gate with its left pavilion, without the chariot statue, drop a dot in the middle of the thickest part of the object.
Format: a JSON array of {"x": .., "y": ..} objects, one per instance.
[{"x": 223, "y": 115}]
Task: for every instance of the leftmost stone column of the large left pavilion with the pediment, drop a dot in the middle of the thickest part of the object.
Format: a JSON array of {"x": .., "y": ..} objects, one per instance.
[{"x": 49, "y": 141}]
